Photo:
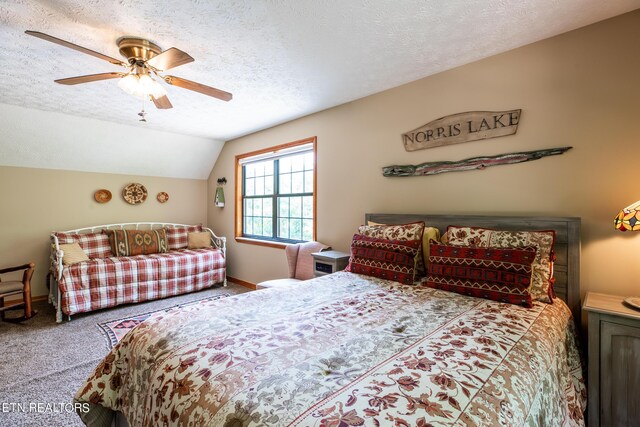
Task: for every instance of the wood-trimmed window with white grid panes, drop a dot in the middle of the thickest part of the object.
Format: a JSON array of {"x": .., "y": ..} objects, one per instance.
[{"x": 275, "y": 200}]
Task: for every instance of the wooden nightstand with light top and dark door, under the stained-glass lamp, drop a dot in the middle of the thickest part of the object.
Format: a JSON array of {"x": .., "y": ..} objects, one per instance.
[{"x": 614, "y": 361}]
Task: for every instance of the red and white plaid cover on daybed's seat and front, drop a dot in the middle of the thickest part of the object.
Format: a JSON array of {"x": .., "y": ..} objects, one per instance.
[{"x": 107, "y": 282}]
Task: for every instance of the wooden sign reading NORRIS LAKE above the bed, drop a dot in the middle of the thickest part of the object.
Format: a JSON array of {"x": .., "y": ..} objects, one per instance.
[{"x": 462, "y": 127}]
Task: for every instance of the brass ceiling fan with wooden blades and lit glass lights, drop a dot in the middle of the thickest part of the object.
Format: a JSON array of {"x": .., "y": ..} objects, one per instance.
[{"x": 144, "y": 60}]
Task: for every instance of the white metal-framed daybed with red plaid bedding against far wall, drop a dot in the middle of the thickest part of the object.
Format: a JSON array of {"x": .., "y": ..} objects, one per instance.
[{"x": 101, "y": 279}]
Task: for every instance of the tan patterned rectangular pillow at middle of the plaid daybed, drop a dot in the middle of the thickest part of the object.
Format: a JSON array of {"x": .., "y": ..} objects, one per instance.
[{"x": 137, "y": 242}]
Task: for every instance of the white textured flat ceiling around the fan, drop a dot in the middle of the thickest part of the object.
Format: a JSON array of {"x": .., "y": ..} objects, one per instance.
[{"x": 281, "y": 59}]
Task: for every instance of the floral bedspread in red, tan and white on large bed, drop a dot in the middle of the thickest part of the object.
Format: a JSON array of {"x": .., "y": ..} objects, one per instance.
[{"x": 345, "y": 350}]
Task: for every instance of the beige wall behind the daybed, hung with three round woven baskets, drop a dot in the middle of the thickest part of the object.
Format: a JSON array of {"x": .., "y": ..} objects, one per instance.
[{"x": 35, "y": 202}]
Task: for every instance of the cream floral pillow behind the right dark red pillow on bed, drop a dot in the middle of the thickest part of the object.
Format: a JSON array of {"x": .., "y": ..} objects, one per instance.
[{"x": 543, "y": 241}]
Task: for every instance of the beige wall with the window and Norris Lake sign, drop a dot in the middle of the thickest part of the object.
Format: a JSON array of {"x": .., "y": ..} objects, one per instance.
[{"x": 580, "y": 89}]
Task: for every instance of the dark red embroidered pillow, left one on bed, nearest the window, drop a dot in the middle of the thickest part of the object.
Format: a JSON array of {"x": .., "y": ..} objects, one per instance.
[{"x": 385, "y": 259}]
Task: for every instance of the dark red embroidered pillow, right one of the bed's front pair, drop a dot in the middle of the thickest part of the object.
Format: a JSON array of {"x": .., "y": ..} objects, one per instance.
[{"x": 499, "y": 274}]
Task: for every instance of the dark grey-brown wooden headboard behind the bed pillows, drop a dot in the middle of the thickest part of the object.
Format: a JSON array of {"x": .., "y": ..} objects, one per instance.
[{"x": 567, "y": 248}]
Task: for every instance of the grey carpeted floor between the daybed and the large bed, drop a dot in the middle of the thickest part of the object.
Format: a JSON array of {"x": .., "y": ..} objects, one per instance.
[{"x": 43, "y": 364}]
